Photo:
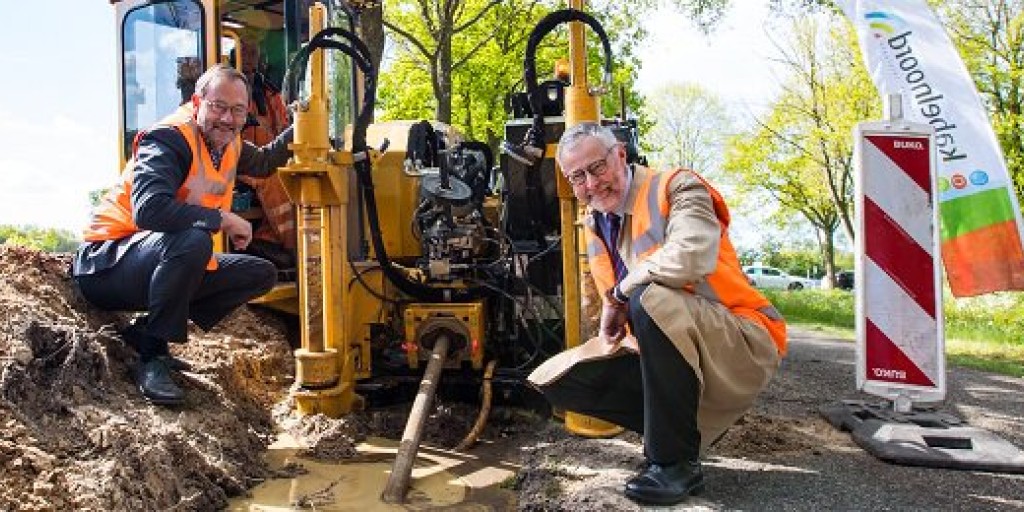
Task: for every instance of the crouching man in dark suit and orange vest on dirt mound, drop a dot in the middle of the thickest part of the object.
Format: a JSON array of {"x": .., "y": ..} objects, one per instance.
[{"x": 150, "y": 243}]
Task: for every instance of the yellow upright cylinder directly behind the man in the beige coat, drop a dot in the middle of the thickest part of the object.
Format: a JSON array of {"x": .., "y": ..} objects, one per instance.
[{"x": 581, "y": 106}]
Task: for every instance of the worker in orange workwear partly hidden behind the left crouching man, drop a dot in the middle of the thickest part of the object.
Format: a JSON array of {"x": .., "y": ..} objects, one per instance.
[{"x": 275, "y": 237}]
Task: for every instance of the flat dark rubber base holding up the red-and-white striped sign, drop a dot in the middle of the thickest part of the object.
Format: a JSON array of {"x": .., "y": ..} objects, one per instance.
[{"x": 924, "y": 438}]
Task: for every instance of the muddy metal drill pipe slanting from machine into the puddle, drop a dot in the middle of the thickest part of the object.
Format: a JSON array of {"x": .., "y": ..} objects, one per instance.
[{"x": 398, "y": 483}]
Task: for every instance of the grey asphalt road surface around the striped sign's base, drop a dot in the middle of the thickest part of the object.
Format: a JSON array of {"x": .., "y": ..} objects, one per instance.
[{"x": 836, "y": 474}]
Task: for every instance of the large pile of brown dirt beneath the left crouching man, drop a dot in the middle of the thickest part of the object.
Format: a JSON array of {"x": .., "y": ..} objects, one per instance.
[{"x": 75, "y": 433}]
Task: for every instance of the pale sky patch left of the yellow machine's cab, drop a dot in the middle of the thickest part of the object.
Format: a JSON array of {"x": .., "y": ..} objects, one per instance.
[{"x": 58, "y": 110}]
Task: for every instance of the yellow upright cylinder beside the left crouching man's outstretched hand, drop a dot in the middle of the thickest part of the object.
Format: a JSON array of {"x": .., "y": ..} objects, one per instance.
[{"x": 319, "y": 186}]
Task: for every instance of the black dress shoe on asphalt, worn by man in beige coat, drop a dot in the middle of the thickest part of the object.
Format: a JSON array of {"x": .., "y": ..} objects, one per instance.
[{"x": 659, "y": 485}]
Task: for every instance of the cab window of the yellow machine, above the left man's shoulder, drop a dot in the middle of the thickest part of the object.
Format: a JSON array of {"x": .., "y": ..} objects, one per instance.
[{"x": 163, "y": 57}]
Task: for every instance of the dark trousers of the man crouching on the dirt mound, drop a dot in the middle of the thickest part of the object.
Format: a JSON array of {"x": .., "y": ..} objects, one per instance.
[{"x": 165, "y": 275}]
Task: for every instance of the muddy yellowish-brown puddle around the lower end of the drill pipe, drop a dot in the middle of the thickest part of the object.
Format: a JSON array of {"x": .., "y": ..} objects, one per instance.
[{"x": 441, "y": 480}]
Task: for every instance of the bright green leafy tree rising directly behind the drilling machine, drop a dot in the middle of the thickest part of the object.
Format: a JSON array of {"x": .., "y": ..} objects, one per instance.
[{"x": 468, "y": 56}]
